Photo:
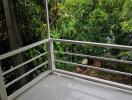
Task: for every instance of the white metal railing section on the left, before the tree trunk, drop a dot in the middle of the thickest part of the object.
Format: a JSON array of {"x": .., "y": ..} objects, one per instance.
[{"x": 3, "y": 86}]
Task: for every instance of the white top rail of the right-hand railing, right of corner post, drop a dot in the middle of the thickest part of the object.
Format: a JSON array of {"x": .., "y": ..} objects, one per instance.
[{"x": 95, "y": 44}]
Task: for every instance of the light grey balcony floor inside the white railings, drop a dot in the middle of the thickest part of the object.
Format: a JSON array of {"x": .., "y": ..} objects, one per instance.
[{"x": 58, "y": 87}]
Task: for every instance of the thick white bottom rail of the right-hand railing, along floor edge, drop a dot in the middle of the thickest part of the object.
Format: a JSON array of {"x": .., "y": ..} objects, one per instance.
[{"x": 120, "y": 86}]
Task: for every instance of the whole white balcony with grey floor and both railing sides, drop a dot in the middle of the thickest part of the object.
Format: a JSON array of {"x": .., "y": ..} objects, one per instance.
[{"x": 57, "y": 84}]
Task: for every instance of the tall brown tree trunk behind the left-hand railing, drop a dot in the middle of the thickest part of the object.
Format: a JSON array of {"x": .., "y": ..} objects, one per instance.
[{"x": 14, "y": 37}]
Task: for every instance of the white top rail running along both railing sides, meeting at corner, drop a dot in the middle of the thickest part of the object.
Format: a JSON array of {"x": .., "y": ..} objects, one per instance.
[{"x": 14, "y": 52}]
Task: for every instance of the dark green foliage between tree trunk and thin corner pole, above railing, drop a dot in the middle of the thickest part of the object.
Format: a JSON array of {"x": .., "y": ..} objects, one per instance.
[{"x": 30, "y": 18}]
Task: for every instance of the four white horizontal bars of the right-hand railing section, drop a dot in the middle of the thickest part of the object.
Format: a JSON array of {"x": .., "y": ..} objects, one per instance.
[{"x": 110, "y": 83}]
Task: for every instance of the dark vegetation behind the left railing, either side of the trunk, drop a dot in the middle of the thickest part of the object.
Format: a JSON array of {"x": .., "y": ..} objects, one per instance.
[{"x": 30, "y": 19}]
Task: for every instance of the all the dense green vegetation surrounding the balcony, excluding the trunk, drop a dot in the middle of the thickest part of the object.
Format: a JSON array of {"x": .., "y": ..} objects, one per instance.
[{"x": 105, "y": 21}]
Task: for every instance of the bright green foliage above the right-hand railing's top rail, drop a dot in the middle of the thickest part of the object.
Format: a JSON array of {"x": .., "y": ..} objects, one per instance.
[{"x": 93, "y": 20}]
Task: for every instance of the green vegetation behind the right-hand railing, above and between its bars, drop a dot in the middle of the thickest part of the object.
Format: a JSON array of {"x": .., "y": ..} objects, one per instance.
[{"x": 106, "y": 21}]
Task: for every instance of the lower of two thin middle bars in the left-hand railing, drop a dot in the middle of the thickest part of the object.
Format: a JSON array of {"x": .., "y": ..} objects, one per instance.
[{"x": 27, "y": 73}]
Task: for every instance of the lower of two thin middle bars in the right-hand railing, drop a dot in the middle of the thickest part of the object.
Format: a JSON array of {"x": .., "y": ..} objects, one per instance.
[{"x": 93, "y": 67}]
